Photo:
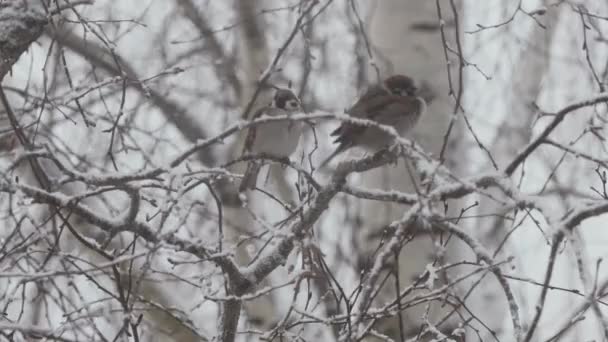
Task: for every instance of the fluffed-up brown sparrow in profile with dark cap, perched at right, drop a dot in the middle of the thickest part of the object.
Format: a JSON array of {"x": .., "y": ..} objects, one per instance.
[{"x": 394, "y": 102}]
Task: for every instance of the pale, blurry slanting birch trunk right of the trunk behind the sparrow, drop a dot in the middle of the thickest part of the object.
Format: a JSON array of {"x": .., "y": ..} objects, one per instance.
[{"x": 512, "y": 100}]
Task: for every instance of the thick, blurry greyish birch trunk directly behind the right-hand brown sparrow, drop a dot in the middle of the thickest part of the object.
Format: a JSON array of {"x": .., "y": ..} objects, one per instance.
[{"x": 406, "y": 39}]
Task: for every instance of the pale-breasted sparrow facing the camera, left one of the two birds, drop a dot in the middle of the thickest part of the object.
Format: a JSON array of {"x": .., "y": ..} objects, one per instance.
[{"x": 278, "y": 138}]
